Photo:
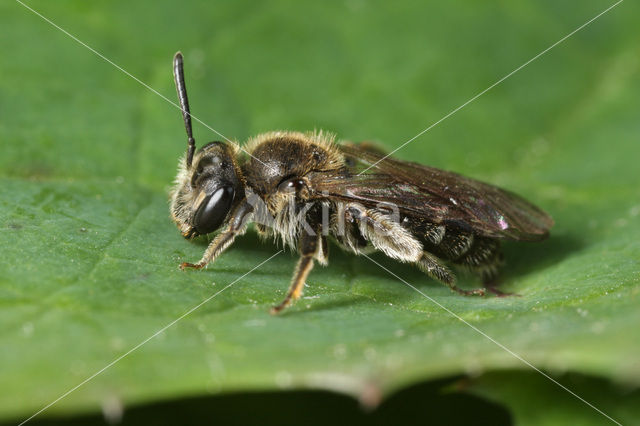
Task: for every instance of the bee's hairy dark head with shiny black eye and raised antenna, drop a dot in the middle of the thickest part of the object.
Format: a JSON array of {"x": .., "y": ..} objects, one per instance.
[{"x": 208, "y": 181}]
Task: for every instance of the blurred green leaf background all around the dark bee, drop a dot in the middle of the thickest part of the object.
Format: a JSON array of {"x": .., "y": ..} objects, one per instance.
[{"x": 89, "y": 255}]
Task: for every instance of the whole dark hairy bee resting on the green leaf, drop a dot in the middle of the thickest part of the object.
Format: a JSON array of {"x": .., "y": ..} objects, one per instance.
[{"x": 303, "y": 188}]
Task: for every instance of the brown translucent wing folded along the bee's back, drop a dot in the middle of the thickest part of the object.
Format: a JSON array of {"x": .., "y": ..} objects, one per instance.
[{"x": 434, "y": 194}]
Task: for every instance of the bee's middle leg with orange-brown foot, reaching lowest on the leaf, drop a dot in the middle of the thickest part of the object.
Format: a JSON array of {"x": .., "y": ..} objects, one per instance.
[{"x": 309, "y": 245}]
